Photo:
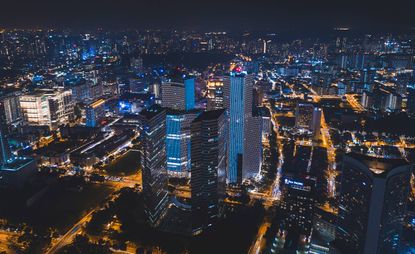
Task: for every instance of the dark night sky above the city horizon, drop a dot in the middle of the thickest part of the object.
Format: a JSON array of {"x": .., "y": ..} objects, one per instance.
[{"x": 300, "y": 15}]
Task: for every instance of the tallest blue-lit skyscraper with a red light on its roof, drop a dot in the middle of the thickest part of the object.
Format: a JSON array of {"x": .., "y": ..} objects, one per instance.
[{"x": 238, "y": 103}]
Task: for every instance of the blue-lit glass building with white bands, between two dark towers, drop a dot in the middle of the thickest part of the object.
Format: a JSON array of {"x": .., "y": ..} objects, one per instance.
[{"x": 178, "y": 141}]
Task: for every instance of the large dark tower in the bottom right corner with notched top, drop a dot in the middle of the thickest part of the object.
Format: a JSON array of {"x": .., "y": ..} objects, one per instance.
[{"x": 372, "y": 206}]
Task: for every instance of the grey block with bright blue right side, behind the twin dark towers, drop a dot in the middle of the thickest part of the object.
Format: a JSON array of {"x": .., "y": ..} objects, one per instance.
[{"x": 179, "y": 95}]
